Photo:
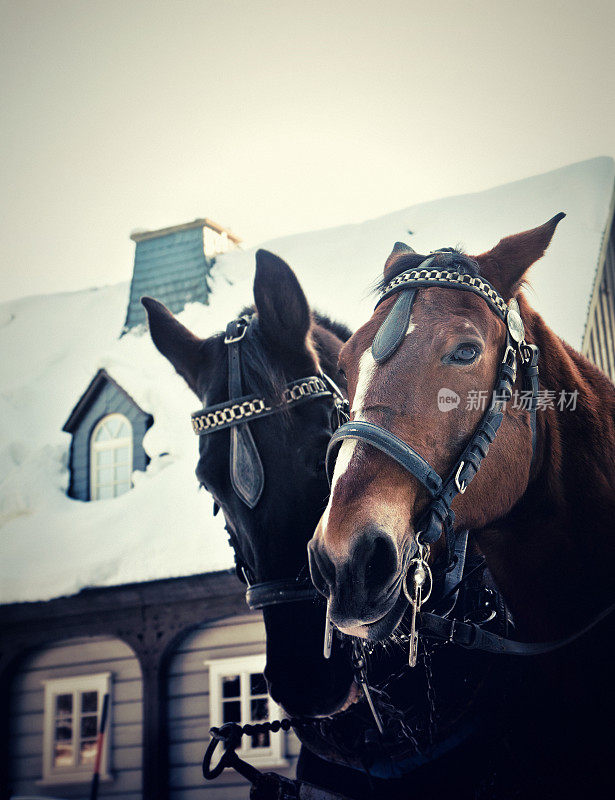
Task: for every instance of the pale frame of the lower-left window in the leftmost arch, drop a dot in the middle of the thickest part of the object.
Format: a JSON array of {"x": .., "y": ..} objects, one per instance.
[{"x": 75, "y": 685}]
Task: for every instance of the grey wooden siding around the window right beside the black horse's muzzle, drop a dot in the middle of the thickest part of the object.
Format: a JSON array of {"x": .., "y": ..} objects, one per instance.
[{"x": 188, "y": 707}]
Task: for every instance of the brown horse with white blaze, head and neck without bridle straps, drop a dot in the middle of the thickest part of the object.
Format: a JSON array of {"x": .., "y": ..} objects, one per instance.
[{"x": 545, "y": 520}]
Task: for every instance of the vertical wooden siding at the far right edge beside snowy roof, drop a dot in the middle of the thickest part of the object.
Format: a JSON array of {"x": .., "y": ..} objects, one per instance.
[{"x": 599, "y": 341}]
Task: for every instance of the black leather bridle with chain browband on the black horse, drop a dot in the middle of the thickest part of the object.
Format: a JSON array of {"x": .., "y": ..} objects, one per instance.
[{"x": 245, "y": 465}]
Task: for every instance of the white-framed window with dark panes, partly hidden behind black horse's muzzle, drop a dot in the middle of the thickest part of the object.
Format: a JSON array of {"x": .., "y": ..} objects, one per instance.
[{"x": 238, "y": 693}]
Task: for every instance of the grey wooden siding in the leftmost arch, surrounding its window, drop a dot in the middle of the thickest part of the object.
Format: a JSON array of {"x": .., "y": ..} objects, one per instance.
[{"x": 78, "y": 657}]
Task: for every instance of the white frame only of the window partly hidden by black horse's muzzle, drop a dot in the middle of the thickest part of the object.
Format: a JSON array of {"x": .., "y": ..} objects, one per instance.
[{"x": 244, "y": 666}]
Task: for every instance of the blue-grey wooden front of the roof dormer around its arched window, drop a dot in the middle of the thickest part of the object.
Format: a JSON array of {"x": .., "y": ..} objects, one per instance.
[{"x": 108, "y": 400}]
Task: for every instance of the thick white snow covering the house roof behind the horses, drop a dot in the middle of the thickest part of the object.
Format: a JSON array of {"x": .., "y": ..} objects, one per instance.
[{"x": 51, "y": 545}]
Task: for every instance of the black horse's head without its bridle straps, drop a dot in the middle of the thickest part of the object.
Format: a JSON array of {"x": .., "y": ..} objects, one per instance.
[{"x": 284, "y": 342}]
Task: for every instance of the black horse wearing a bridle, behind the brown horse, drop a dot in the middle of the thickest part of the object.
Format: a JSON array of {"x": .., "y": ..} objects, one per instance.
[{"x": 272, "y": 489}]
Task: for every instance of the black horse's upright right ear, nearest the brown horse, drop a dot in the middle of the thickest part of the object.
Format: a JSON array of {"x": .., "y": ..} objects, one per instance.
[{"x": 283, "y": 312}]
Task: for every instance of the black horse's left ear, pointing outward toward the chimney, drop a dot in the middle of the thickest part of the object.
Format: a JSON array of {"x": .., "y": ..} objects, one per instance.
[{"x": 176, "y": 343}]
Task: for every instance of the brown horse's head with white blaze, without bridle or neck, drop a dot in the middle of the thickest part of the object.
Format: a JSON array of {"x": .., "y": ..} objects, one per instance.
[{"x": 431, "y": 393}]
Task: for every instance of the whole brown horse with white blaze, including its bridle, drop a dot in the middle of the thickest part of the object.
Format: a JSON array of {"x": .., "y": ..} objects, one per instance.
[{"x": 539, "y": 497}]
